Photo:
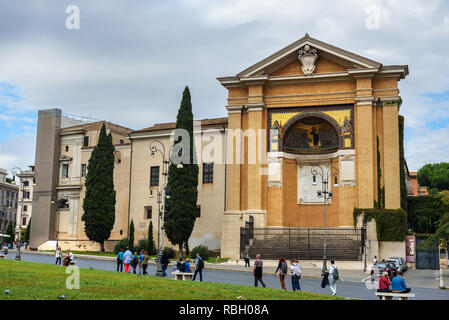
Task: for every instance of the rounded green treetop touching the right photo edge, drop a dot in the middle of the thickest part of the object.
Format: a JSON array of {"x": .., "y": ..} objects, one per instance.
[{"x": 434, "y": 176}]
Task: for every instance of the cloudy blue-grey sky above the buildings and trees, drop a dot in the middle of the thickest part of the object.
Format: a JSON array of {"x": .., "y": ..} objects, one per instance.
[{"x": 130, "y": 60}]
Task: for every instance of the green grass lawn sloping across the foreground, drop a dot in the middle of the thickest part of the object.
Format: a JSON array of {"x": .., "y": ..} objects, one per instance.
[{"x": 31, "y": 281}]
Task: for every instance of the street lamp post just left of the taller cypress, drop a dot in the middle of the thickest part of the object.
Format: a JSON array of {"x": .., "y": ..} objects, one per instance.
[{"x": 158, "y": 146}]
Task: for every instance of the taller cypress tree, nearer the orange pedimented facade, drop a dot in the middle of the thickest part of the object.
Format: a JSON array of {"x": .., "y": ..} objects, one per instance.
[{"x": 182, "y": 184}]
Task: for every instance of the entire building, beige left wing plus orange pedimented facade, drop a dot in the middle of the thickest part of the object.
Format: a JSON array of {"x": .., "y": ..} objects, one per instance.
[{"x": 308, "y": 104}]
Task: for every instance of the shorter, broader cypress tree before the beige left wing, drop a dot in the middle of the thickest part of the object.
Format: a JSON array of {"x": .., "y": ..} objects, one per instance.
[{"x": 99, "y": 201}]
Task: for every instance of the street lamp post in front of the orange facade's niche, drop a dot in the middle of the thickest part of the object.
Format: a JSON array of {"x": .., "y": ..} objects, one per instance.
[{"x": 317, "y": 170}]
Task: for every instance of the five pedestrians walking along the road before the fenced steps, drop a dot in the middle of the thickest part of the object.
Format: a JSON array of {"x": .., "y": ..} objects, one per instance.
[{"x": 329, "y": 278}]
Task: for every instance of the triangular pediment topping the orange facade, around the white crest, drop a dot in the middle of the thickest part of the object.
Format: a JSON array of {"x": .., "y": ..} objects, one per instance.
[{"x": 329, "y": 59}]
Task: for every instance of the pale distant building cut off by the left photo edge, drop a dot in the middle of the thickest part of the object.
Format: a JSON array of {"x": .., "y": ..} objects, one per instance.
[{"x": 9, "y": 195}]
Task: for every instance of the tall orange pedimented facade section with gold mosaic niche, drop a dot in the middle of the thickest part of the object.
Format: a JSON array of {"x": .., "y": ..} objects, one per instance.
[{"x": 317, "y": 104}]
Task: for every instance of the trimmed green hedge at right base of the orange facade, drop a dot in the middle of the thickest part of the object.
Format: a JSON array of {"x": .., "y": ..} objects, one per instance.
[{"x": 391, "y": 224}]
